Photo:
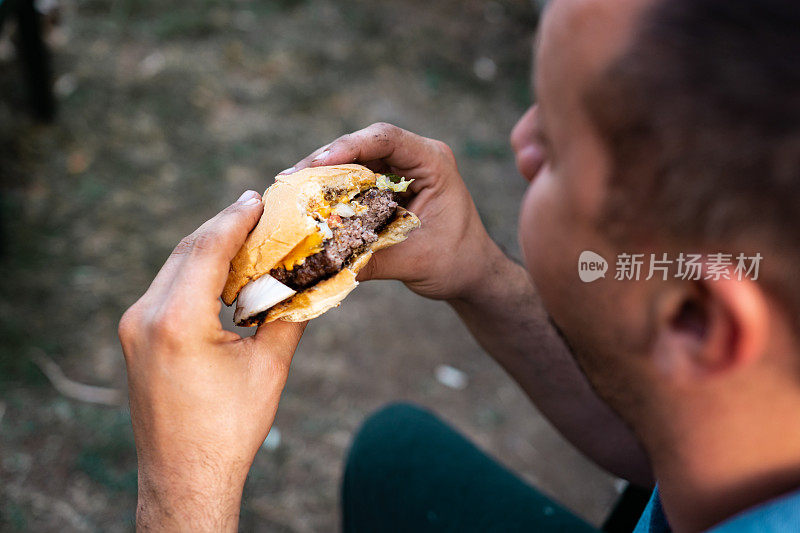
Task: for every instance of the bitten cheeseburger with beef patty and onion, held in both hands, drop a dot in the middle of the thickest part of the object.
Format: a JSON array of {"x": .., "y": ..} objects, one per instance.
[{"x": 320, "y": 226}]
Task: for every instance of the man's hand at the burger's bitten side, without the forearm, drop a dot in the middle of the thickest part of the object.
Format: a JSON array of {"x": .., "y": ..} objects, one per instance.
[{"x": 451, "y": 253}]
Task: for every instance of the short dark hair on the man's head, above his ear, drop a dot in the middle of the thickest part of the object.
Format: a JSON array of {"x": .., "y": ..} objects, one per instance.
[{"x": 701, "y": 114}]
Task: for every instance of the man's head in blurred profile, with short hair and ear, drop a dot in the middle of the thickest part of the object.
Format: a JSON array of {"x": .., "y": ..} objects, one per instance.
[{"x": 668, "y": 127}]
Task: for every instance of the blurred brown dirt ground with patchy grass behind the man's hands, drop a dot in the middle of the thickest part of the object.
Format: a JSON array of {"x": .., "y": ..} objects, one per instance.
[{"x": 165, "y": 113}]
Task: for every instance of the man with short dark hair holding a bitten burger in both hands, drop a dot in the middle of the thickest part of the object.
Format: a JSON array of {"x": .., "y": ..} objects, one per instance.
[{"x": 662, "y": 127}]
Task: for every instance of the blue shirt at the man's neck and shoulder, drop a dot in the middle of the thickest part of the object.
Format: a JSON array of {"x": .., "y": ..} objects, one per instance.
[{"x": 778, "y": 515}]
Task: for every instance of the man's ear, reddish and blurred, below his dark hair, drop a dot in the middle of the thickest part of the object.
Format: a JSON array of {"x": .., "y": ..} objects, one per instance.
[{"x": 707, "y": 328}]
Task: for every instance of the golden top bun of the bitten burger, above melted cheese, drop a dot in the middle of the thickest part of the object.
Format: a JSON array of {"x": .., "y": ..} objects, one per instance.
[{"x": 286, "y": 219}]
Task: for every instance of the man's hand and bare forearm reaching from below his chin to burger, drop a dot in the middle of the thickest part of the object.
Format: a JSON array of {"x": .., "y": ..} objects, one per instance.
[{"x": 452, "y": 257}]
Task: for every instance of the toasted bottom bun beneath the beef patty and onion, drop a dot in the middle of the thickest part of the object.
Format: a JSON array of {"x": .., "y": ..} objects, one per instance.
[{"x": 329, "y": 293}]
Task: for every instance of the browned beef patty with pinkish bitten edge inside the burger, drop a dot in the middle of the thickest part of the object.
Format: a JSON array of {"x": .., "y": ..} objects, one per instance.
[{"x": 353, "y": 235}]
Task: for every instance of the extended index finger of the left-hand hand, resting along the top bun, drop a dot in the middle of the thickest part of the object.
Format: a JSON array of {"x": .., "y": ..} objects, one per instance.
[{"x": 203, "y": 258}]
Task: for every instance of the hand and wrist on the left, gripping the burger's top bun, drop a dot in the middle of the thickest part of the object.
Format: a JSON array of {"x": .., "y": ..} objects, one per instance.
[{"x": 202, "y": 399}]
